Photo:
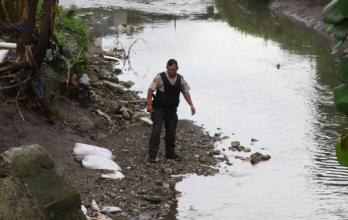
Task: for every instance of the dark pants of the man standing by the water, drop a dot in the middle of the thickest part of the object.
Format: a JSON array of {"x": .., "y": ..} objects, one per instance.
[{"x": 170, "y": 119}]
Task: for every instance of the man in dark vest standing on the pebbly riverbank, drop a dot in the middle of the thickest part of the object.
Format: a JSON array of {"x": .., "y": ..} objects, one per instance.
[{"x": 163, "y": 107}]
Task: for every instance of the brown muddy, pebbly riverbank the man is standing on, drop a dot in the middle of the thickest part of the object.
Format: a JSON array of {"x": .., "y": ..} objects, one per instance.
[{"x": 110, "y": 117}]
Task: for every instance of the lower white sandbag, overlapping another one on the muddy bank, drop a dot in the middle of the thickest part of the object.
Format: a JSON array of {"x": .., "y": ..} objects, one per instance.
[{"x": 100, "y": 163}]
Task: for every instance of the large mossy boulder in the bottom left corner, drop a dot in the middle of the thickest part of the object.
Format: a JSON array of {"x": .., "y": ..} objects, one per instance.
[{"x": 38, "y": 191}]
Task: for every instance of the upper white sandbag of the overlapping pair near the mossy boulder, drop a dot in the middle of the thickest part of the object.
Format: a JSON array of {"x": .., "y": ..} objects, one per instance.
[{"x": 83, "y": 150}]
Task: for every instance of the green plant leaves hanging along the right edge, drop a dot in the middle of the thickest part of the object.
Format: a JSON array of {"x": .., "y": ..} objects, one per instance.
[{"x": 335, "y": 16}]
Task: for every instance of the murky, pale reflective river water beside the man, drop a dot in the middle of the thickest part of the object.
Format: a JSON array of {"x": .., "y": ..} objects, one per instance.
[{"x": 230, "y": 62}]
